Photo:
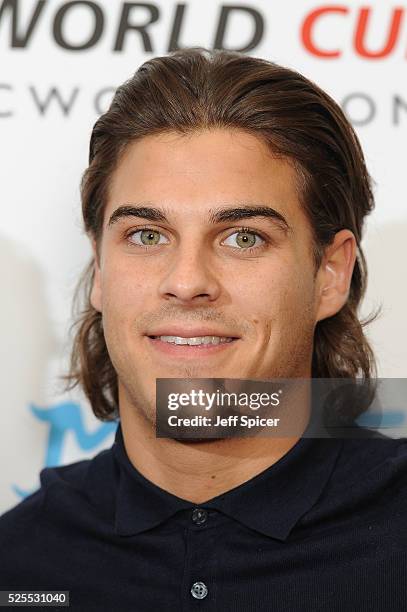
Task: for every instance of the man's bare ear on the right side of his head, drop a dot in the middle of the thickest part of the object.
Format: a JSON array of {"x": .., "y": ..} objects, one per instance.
[{"x": 335, "y": 274}]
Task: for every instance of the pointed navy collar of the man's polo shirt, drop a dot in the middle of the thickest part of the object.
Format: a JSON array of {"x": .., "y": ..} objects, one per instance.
[{"x": 271, "y": 502}]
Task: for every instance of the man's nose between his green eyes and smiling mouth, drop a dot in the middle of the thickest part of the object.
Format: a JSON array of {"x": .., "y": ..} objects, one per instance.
[{"x": 189, "y": 277}]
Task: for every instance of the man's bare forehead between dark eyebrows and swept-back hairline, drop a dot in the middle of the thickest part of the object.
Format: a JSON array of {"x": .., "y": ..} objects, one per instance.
[{"x": 188, "y": 174}]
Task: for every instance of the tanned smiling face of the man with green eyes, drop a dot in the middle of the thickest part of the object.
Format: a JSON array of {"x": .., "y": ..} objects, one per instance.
[{"x": 195, "y": 275}]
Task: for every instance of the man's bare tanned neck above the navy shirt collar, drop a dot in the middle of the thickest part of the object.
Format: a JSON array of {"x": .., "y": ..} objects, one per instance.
[{"x": 198, "y": 470}]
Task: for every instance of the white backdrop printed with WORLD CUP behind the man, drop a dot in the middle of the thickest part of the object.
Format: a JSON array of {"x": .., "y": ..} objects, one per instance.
[{"x": 59, "y": 64}]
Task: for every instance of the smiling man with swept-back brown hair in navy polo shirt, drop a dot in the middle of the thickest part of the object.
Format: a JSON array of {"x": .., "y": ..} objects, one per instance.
[{"x": 224, "y": 200}]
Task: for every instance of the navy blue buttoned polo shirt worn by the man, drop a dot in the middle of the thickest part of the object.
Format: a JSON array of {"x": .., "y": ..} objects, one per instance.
[{"x": 324, "y": 528}]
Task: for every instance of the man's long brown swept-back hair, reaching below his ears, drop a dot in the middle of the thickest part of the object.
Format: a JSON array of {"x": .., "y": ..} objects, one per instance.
[{"x": 194, "y": 89}]
